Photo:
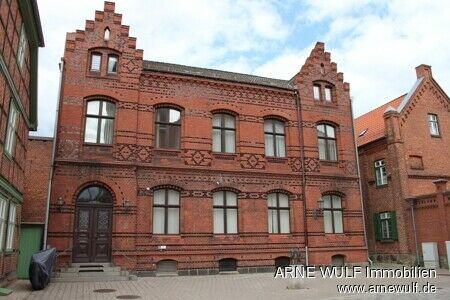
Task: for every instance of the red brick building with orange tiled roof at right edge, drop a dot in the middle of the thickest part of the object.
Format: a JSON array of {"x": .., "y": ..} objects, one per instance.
[{"x": 403, "y": 149}]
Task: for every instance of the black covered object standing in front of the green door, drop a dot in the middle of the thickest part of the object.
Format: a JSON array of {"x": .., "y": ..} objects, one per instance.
[{"x": 41, "y": 268}]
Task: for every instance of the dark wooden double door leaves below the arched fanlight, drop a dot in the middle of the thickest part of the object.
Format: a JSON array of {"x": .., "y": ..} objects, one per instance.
[{"x": 92, "y": 240}]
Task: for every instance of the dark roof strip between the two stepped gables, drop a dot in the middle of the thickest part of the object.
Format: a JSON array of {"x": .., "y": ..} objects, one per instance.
[{"x": 216, "y": 74}]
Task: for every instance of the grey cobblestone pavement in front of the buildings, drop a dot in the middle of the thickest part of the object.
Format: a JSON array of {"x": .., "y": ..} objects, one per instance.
[{"x": 236, "y": 286}]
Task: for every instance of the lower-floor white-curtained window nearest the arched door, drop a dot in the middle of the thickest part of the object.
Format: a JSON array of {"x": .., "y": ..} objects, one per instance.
[{"x": 166, "y": 211}]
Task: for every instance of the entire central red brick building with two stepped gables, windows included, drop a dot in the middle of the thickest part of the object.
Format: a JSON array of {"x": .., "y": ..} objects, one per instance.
[{"x": 161, "y": 165}]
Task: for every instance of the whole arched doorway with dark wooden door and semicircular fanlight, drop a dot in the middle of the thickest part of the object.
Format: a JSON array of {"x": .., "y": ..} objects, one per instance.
[{"x": 93, "y": 222}]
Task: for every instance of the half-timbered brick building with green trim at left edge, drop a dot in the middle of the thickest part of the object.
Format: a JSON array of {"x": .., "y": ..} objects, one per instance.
[{"x": 20, "y": 38}]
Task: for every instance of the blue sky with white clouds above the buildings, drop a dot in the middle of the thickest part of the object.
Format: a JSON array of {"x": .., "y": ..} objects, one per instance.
[{"x": 376, "y": 44}]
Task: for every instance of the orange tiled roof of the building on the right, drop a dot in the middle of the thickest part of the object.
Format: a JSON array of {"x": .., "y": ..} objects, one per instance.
[{"x": 373, "y": 123}]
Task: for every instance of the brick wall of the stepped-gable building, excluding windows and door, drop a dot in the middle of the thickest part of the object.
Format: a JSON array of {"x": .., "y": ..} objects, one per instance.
[{"x": 132, "y": 167}]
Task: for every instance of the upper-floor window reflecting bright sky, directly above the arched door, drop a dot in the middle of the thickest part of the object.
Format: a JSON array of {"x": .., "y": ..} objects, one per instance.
[{"x": 99, "y": 122}]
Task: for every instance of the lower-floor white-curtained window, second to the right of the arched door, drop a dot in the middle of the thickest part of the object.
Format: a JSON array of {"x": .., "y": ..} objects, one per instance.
[{"x": 225, "y": 212}]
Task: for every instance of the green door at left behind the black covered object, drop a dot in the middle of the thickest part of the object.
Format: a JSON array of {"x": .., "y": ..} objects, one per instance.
[{"x": 30, "y": 243}]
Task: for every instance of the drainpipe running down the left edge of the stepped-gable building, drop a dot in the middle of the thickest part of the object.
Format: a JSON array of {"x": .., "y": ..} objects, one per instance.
[{"x": 52, "y": 166}]
